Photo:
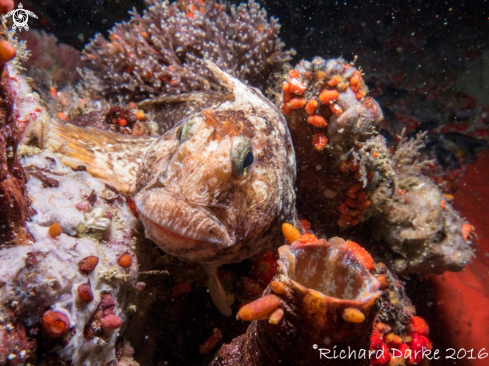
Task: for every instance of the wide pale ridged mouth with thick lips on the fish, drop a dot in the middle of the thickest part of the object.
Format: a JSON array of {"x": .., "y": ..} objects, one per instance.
[{"x": 173, "y": 221}]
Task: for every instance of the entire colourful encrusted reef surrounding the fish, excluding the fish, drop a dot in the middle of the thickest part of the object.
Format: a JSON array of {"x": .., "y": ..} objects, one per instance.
[{"x": 73, "y": 251}]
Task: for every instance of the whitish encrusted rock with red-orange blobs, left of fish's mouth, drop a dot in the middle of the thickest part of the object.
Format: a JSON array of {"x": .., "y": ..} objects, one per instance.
[{"x": 72, "y": 267}]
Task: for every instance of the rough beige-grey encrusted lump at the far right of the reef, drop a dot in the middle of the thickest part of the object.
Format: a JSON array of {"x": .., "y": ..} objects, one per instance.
[{"x": 424, "y": 233}]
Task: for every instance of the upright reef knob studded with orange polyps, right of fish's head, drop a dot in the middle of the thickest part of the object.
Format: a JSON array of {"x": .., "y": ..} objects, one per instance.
[{"x": 329, "y": 118}]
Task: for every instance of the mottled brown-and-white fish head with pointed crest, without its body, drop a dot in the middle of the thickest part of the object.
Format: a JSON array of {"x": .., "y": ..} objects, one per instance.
[{"x": 216, "y": 187}]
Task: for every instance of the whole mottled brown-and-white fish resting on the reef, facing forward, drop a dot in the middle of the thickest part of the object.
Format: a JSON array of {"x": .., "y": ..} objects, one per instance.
[{"x": 214, "y": 189}]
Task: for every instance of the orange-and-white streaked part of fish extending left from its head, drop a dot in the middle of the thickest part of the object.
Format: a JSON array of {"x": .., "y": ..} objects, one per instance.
[{"x": 112, "y": 157}]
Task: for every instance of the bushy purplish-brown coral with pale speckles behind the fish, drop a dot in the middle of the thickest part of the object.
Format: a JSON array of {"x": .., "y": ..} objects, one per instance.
[{"x": 163, "y": 51}]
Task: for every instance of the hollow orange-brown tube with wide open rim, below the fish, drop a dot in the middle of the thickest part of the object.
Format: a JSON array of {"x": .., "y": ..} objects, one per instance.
[{"x": 328, "y": 298}]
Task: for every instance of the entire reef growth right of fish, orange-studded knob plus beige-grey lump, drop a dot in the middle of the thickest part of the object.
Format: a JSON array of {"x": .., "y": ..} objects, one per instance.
[{"x": 360, "y": 178}]
